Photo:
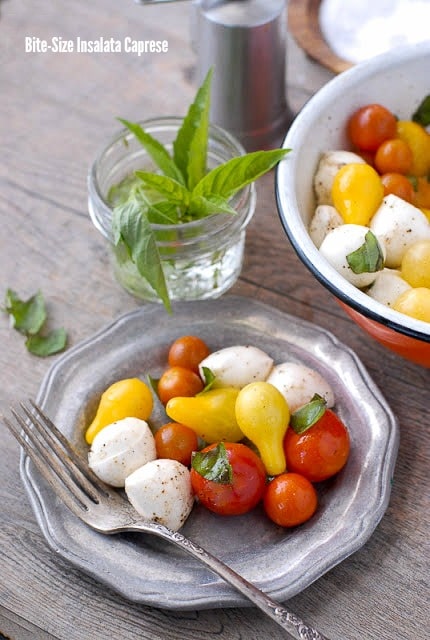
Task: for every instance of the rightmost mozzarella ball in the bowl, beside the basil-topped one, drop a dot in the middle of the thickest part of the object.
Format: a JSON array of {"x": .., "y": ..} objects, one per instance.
[{"x": 399, "y": 224}]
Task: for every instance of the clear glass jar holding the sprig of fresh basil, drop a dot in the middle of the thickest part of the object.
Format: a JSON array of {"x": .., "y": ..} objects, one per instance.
[{"x": 201, "y": 259}]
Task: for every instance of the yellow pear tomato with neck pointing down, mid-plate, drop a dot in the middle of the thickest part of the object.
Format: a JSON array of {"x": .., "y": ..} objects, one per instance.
[{"x": 263, "y": 415}]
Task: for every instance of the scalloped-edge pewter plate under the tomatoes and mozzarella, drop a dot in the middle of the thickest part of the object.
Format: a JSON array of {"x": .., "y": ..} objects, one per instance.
[{"x": 281, "y": 562}]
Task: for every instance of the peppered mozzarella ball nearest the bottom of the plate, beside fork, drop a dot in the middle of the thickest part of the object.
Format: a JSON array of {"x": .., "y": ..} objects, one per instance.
[{"x": 161, "y": 491}]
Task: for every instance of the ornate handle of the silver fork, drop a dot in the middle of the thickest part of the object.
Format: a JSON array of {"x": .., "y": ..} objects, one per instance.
[{"x": 286, "y": 619}]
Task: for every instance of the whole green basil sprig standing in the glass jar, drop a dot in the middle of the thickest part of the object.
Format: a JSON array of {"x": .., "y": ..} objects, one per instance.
[{"x": 183, "y": 192}]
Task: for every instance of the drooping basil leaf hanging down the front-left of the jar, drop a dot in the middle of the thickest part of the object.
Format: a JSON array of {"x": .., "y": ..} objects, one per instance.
[{"x": 130, "y": 224}]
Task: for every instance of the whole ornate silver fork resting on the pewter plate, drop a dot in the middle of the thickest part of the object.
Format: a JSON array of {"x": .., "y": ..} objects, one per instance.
[{"x": 107, "y": 511}]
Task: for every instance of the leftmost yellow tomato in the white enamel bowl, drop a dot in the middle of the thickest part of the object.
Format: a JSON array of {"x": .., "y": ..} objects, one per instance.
[{"x": 357, "y": 193}]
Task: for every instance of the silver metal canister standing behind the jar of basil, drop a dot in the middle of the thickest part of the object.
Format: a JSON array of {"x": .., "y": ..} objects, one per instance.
[{"x": 245, "y": 42}]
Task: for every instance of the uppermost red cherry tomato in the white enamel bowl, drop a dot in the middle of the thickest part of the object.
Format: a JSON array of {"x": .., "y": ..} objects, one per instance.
[{"x": 370, "y": 126}]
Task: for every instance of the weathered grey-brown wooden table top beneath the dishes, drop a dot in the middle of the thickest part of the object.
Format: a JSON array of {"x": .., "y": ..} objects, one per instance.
[{"x": 56, "y": 110}]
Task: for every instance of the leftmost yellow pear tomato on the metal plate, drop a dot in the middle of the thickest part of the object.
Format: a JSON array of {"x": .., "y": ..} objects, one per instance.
[{"x": 128, "y": 398}]
